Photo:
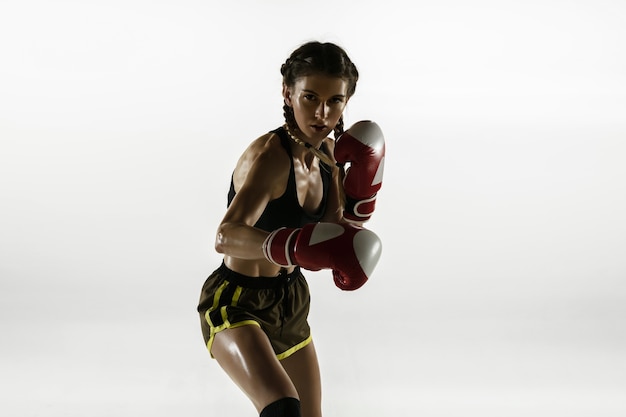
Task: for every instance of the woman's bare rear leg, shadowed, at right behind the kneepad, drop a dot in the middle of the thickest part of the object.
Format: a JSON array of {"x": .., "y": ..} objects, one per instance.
[{"x": 304, "y": 371}]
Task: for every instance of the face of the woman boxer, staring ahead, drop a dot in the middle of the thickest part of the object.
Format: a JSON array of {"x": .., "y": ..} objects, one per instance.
[{"x": 318, "y": 102}]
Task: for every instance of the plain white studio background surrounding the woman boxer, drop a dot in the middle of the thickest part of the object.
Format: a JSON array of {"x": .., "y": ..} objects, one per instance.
[{"x": 501, "y": 290}]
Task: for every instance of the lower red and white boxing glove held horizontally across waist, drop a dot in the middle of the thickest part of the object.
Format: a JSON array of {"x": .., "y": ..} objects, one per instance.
[{"x": 351, "y": 252}]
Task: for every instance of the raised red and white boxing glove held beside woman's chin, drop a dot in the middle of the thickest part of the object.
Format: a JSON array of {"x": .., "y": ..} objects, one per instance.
[{"x": 363, "y": 146}]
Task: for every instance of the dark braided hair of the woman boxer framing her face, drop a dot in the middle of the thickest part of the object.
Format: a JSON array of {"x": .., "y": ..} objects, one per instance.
[{"x": 318, "y": 58}]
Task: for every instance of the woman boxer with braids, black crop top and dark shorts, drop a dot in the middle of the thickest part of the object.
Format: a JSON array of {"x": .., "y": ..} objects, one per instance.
[{"x": 286, "y": 185}]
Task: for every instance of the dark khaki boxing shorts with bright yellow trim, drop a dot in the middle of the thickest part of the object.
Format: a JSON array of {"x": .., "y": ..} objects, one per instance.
[{"x": 278, "y": 305}]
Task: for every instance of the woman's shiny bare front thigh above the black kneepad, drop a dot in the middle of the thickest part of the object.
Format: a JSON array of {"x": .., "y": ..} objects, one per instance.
[{"x": 247, "y": 357}]
